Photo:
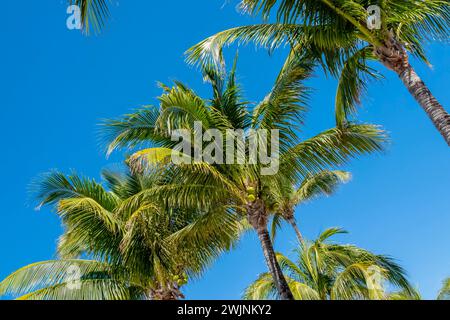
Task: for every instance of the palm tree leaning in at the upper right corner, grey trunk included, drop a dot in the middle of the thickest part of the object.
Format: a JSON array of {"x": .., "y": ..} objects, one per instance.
[{"x": 338, "y": 34}]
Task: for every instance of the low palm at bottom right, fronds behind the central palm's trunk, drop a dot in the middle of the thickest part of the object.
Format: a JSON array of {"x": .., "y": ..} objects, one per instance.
[{"x": 329, "y": 271}]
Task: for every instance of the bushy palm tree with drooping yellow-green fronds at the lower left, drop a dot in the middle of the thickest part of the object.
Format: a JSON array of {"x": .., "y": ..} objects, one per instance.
[{"x": 137, "y": 249}]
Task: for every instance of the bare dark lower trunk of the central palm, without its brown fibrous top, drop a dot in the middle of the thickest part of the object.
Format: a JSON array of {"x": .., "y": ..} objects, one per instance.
[{"x": 274, "y": 267}]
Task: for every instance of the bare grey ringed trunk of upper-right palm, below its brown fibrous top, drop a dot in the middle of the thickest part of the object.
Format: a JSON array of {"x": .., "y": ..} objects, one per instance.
[{"x": 420, "y": 92}]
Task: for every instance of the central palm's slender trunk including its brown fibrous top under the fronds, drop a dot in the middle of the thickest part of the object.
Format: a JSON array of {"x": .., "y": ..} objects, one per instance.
[{"x": 257, "y": 217}]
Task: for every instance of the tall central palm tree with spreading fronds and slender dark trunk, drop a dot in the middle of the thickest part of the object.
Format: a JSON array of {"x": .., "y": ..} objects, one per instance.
[{"x": 239, "y": 188}]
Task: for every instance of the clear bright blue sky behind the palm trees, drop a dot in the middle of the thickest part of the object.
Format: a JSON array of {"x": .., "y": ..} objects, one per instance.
[{"x": 56, "y": 85}]
